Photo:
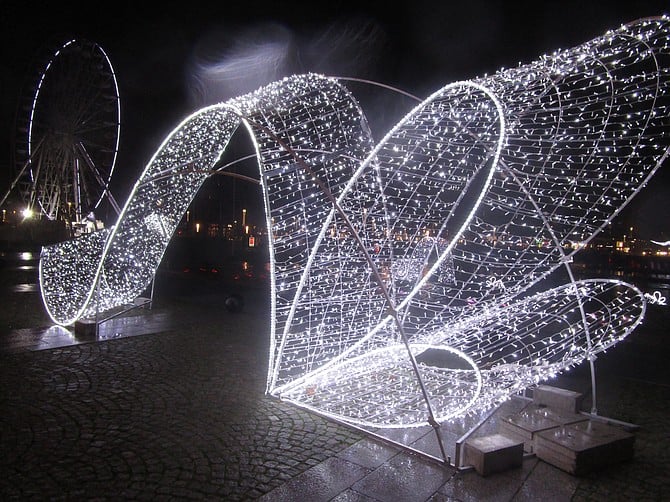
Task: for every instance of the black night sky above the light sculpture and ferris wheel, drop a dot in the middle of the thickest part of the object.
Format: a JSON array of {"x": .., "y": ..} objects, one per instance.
[{"x": 160, "y": 54}]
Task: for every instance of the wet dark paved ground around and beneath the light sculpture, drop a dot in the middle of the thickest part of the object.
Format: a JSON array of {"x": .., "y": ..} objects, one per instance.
[{"x": 168, "y": 403}]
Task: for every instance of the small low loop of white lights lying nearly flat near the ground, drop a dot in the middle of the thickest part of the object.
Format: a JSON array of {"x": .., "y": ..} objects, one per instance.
[{"x": 351, "y": 389}]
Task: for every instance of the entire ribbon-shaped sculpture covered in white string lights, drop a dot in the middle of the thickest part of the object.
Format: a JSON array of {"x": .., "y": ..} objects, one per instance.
[{"x": 416, "y": 279}]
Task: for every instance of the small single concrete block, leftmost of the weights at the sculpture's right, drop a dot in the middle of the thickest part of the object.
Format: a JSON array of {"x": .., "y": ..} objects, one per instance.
[{"x": 494, "y": 453}]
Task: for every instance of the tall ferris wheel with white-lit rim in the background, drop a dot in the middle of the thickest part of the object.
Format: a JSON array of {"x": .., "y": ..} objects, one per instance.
[{"x": 69, "y": 128}]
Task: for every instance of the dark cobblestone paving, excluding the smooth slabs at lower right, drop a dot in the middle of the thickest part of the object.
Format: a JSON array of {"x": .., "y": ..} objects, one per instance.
[{"x": 176, "y": 414}]
